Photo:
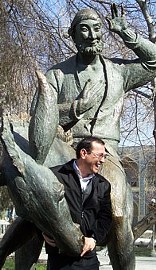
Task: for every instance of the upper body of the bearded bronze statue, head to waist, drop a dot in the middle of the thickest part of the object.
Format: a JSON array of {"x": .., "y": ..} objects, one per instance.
[{"x": 90, "y": 88}]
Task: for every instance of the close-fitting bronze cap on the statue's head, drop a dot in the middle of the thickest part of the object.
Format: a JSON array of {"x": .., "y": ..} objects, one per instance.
[{"x": 83, "y": 14}]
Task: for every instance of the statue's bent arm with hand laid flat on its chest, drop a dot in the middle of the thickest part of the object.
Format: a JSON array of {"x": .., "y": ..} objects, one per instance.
[{"x": 72, "y": 111}]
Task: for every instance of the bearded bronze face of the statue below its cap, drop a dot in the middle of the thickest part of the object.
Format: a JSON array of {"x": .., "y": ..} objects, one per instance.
[{"x": 88, "y": 37}]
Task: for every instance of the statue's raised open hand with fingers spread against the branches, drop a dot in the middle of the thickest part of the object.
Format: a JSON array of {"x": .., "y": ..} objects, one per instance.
[{"x": 117, "y": 23}]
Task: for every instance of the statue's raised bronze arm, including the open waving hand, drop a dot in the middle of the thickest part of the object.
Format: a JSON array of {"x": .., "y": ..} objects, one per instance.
[{"x": 139, "y": 71}]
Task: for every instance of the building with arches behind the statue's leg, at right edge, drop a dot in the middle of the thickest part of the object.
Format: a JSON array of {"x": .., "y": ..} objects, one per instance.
[{"x": 139, "y": 165}]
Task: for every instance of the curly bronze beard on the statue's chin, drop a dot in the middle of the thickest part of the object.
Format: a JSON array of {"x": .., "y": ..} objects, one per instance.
[{"x": 90, "y": 50}]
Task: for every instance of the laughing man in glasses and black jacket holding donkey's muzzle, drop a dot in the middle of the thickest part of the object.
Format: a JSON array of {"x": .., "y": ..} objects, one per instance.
[{"x": 88, "y": 197}]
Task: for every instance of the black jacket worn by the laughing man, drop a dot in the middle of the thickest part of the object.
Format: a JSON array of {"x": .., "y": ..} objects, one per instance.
[{"x": 93, "y": 213}]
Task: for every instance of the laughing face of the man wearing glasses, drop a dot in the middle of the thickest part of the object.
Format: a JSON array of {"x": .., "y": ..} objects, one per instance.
[{"x": 94, "y": 158}]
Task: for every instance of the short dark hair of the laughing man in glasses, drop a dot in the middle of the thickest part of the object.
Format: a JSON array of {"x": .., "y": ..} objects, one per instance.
[{"x": 87, "y": 144}]
